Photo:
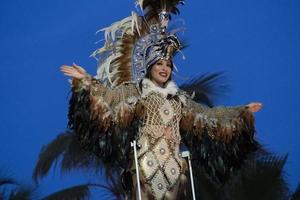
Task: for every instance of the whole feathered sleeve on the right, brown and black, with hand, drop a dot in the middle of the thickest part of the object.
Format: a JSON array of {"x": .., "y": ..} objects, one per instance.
[{"x": 220, "y": 139}]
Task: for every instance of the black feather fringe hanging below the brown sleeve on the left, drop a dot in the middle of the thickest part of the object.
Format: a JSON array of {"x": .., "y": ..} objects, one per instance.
[{"x": 112, "y": 147}]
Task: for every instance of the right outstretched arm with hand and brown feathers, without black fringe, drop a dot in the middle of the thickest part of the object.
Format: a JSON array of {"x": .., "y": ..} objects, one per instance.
[{"x": 219, "y": 122}]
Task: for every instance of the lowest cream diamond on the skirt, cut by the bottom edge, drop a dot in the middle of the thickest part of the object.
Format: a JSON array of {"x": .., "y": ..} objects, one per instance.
[{"x": 159, "y": 185}]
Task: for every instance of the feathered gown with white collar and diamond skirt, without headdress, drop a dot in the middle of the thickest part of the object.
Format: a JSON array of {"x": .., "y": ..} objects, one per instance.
[{"x": 107, "y": 120}]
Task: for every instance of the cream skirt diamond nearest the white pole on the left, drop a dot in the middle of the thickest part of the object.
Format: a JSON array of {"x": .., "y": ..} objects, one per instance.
[{"x": 149, "y": 164}]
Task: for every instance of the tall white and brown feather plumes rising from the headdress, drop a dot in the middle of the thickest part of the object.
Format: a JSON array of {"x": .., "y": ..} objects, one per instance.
[{"x": 114, "y": 59}]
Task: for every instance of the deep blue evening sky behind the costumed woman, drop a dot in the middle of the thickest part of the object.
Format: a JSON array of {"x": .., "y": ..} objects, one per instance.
[{"x": 256, "y": 43}]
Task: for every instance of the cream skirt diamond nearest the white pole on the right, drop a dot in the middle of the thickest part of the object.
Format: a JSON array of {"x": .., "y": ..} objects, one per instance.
[{"x": 172, "y": 171}]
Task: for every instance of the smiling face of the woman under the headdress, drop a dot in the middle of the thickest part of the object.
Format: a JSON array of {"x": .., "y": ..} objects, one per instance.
[{"x": 160, "y": 72}]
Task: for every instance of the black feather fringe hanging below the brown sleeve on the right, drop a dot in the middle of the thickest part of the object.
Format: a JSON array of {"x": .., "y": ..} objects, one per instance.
[{"x": 218, "y": 158}]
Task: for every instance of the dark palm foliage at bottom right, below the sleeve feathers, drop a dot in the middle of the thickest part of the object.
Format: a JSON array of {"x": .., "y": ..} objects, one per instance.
[{"x": 258, "y": 178}]
